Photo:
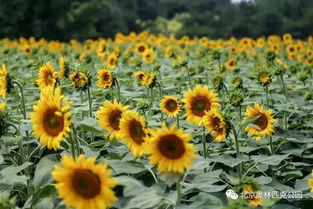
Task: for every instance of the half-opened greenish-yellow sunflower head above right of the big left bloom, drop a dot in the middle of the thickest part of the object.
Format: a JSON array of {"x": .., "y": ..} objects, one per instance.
[{"x": 80, "y": 79}]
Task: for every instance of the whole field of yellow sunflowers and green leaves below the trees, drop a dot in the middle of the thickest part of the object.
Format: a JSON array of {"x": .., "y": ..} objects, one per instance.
[{"x": 153, "y": 121}]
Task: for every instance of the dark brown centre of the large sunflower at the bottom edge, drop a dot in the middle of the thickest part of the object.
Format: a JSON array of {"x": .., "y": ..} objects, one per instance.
[{"x": 86, "y": 183}]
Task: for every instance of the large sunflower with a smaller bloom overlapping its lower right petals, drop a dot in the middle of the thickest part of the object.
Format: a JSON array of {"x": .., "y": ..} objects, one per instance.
[{"x": 197, "y": 102}]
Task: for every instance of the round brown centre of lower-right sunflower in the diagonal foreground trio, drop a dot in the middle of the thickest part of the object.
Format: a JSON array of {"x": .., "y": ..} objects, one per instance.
[{"x": 171, "y": 146}]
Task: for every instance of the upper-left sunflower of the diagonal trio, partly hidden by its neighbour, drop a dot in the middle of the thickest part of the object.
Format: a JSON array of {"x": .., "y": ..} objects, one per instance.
[{"x": 109, "y": 116}]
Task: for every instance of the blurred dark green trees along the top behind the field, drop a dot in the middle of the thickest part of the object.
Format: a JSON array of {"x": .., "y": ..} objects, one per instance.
[{"x": 81, "y": 19}]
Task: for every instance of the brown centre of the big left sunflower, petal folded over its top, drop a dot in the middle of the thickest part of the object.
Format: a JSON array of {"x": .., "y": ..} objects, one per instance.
[{"x": 52, "y": 123}]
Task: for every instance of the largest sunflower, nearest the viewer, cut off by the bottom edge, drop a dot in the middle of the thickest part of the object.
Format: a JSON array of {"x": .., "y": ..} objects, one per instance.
[{"x": 84, "y": 184}]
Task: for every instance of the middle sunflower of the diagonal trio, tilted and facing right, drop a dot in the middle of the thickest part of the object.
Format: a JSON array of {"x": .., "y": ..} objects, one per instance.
[{"x": 133, "y": 132}]
